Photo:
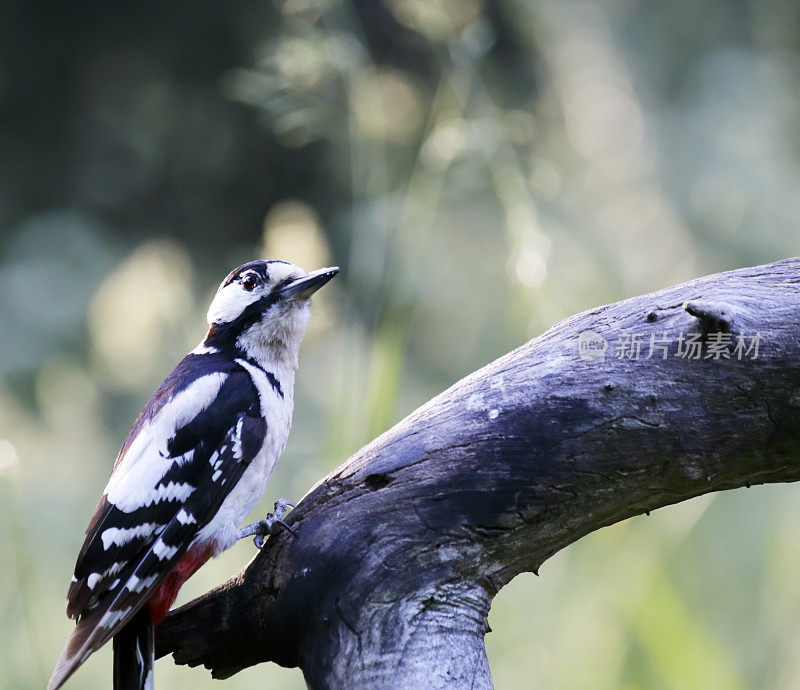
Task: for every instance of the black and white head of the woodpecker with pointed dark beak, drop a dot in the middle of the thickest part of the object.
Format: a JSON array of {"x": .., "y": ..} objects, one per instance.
[{"x": 262, "y": 309}]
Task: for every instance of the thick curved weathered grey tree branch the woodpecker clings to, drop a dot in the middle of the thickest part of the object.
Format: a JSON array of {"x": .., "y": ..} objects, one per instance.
[{"x": 401, "y": 549}]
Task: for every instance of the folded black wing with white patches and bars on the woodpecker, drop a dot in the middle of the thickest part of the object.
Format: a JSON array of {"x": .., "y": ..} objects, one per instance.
[{"x": 186, "y": 452}]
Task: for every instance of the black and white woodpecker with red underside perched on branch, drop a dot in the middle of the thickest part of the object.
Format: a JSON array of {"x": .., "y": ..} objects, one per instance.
[{"x": 195, "y": 463}]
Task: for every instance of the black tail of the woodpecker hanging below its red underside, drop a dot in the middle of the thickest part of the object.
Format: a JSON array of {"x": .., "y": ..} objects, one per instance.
[{"x": 134, "y": 653}]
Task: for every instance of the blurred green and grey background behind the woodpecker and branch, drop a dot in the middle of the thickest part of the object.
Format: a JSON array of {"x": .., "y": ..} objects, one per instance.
[{"x": 480, "y": 169}]
